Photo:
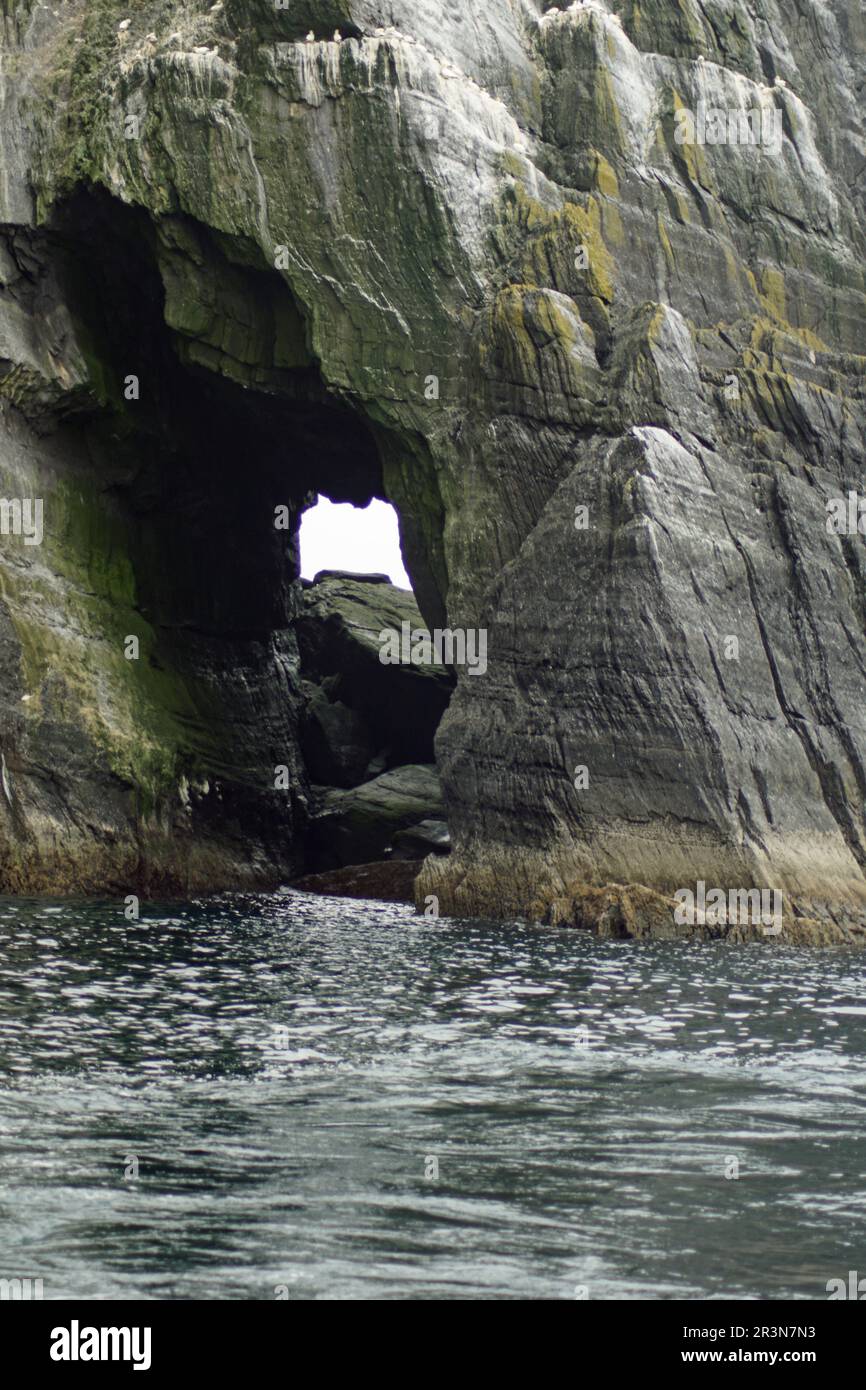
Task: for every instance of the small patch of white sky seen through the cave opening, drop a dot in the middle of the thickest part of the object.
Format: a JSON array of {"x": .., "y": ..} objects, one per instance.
[{"x": 336, "y": 536}]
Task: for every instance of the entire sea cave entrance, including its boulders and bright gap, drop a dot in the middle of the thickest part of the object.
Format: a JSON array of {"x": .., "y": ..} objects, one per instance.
[{"x": 279, "y": 743}]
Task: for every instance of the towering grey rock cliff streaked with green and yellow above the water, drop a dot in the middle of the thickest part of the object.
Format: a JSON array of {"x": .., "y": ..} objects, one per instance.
[{"x": 461, "y": 256}]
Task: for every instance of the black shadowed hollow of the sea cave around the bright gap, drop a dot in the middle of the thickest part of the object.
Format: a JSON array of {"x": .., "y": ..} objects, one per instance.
[{"x": 205, "y": 414}]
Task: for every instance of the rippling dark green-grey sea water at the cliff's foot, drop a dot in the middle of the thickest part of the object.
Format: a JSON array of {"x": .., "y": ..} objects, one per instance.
[{"x": 290, "y": 1072}]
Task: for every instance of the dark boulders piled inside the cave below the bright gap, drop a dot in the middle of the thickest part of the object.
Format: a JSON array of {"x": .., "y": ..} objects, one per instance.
[{"x": 368, "y": 729}]
